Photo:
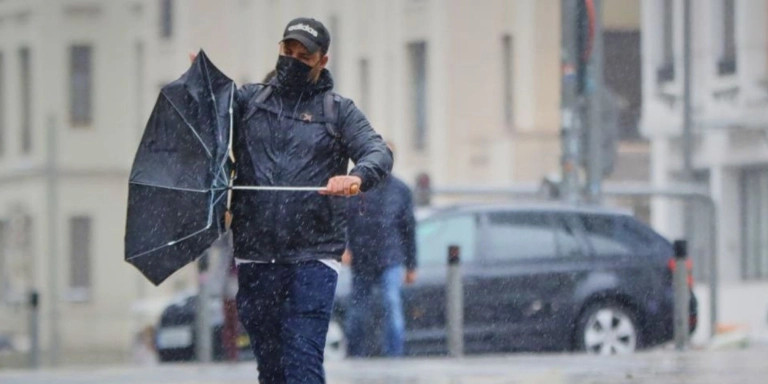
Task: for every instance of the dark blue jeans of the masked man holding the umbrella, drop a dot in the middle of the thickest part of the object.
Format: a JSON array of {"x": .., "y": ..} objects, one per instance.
[{"x": 286, "y": 309}]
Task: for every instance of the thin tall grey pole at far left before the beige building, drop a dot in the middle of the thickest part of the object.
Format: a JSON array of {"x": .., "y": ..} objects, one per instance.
[{"x": 53, "y": 220}]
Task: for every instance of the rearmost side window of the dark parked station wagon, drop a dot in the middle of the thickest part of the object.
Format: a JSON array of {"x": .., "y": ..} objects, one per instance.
[{"x": 609, "y": 236}]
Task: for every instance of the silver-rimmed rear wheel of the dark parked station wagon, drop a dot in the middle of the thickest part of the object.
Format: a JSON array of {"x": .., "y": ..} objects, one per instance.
[{"x": 608, "y": 329}]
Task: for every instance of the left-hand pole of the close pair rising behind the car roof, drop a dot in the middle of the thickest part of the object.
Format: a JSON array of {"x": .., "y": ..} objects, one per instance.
[{"x": 570, "y": 112}]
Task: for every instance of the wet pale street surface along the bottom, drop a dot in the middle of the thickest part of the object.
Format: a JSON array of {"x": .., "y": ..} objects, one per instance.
[{"x": 658, "y": 367}]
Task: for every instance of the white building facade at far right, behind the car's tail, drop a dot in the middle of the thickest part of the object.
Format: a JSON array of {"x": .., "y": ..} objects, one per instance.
[{"x": 729, "y": 152}]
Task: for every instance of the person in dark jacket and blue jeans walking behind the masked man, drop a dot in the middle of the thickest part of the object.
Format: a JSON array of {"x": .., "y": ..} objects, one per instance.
[{"x": 382, "y": 248}]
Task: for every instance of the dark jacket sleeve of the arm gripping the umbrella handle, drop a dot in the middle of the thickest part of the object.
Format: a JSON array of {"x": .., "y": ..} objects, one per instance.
[{"x": 366, "y": 148}]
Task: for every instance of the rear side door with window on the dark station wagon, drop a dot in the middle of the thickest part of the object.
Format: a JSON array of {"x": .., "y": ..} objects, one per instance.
[{"x": 531, "y": 263}]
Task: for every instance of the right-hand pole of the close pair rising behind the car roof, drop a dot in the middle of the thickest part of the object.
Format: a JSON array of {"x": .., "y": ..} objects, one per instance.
[{"x": 595, "y": 161}]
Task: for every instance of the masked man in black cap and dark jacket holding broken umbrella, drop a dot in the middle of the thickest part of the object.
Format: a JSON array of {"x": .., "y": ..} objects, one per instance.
[{"x": 287, "y": 244}]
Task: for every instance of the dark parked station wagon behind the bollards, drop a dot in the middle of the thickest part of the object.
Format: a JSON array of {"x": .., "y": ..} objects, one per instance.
[{"x": 540, "y": 278}]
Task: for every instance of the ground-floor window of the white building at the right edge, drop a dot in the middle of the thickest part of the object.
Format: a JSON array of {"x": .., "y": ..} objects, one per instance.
[{"x": 754, "y": 190}]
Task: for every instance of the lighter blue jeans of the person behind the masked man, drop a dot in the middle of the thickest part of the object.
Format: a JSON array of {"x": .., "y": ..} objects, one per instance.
[{"x": 390, "y": 282}]
